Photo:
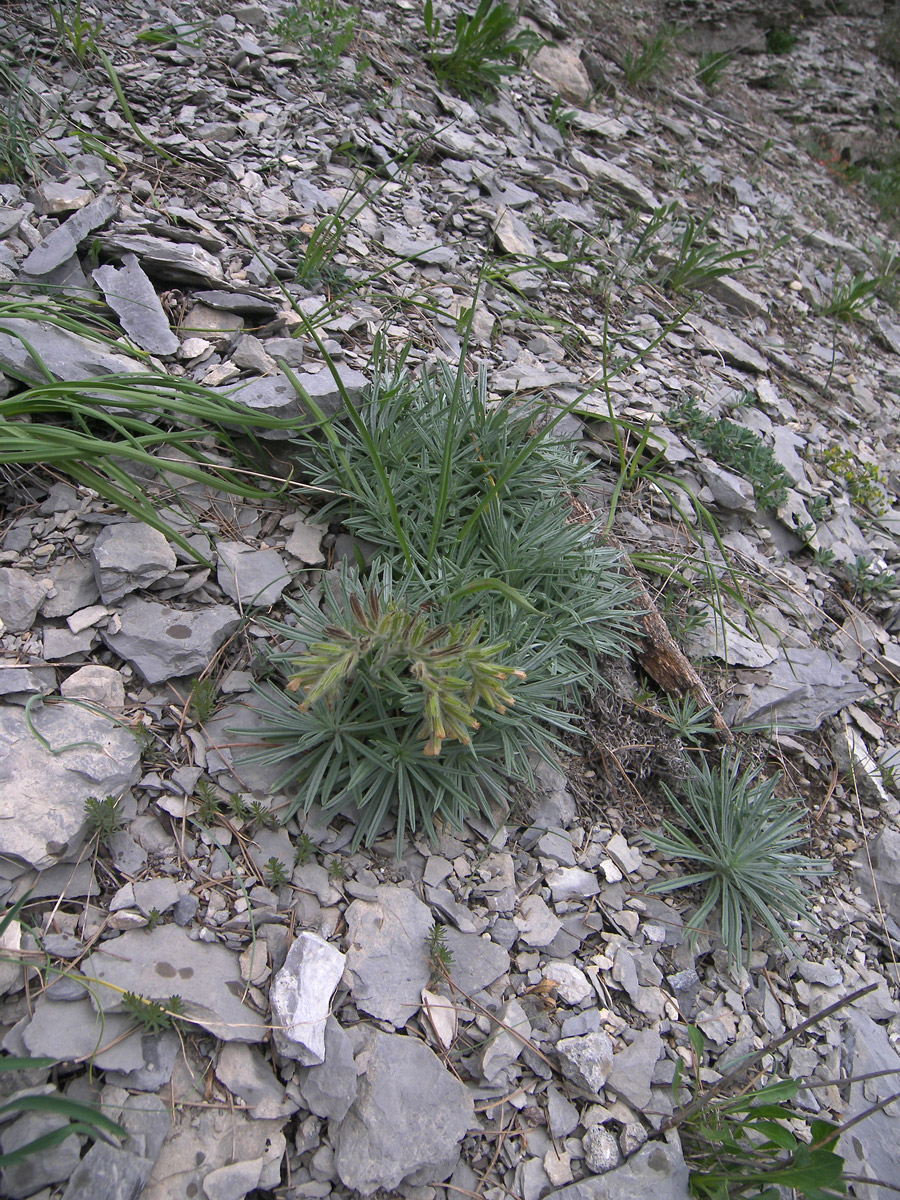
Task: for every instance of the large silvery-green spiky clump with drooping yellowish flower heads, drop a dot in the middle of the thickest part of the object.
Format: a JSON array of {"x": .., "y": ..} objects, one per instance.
[{"x": 488, "y": 560}]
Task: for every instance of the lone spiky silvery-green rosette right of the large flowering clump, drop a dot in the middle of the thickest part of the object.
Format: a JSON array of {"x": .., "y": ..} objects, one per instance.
[{"x": 742, "y": 841}]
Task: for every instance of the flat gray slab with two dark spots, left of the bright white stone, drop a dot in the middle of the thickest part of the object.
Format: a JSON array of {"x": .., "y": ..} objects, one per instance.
[{"x": 164, "y": 963}]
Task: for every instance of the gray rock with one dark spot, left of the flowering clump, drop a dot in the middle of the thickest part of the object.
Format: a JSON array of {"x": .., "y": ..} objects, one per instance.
[{"x": 165, "y": 644}]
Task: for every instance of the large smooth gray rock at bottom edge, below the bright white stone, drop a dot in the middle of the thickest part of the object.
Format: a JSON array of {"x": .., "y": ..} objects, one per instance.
[{"x": 409, "y": 1119}]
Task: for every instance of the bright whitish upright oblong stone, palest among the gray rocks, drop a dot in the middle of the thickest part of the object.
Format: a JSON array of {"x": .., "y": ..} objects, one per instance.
[{"x": 302, "y": 998}]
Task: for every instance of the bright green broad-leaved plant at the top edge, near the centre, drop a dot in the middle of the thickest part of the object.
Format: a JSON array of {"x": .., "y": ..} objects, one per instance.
[{"x": 482, "y": 51}]
